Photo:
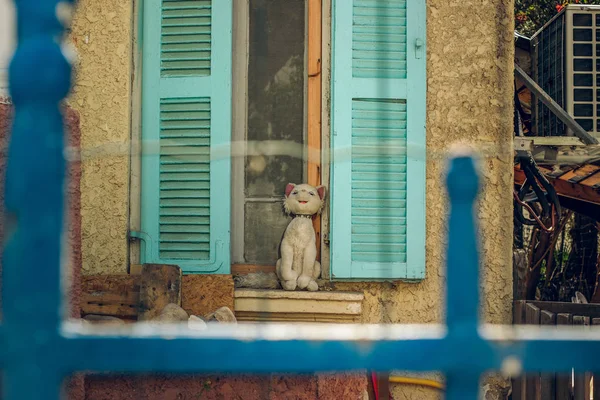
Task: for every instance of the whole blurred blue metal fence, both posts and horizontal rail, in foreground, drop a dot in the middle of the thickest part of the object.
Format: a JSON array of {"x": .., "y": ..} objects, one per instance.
[{"x": 38, "y": 350}]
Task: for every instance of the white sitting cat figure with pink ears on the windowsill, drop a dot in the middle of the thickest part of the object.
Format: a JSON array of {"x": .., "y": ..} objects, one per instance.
[{"x": 298, "y": 267}]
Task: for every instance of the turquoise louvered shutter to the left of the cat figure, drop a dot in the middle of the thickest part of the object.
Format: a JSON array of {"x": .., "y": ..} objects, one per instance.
[{"x": 186, "y": 133}]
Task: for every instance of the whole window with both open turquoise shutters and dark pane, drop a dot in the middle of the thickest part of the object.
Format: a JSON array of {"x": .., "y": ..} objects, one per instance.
[{"x": 193, "y": 190}]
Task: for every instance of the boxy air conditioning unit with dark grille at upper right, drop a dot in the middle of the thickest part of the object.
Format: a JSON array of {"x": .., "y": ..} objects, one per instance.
[{"x": 566, "y": 64}]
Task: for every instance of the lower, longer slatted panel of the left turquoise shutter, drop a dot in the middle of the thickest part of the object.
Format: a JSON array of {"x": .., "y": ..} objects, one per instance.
[{"x": 184, "y": 232}]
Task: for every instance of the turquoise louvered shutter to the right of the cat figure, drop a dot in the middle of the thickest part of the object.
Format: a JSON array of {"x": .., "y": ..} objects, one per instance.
[{"x": 378, "y": 139}]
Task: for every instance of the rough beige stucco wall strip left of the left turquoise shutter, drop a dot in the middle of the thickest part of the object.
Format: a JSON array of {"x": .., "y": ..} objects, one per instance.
[{"x": 102, "y": 35}]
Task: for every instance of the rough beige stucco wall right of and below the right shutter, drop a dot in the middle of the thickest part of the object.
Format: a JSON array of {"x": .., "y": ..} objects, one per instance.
[{"x": 469, "y": 98}]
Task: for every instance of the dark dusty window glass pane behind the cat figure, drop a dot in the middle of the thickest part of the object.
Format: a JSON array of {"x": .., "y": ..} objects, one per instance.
[{"x": 276, "y": 87}]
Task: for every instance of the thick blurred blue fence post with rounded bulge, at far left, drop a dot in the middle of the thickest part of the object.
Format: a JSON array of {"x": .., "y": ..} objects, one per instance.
[{"x": 39, "y": 79}]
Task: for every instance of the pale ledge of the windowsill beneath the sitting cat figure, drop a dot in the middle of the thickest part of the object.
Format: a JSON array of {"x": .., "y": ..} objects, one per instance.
[{"x": 253, "y": 305}]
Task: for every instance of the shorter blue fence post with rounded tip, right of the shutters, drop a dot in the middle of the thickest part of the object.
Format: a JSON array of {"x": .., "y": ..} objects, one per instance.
[{"x": 462, "y": 274}]
